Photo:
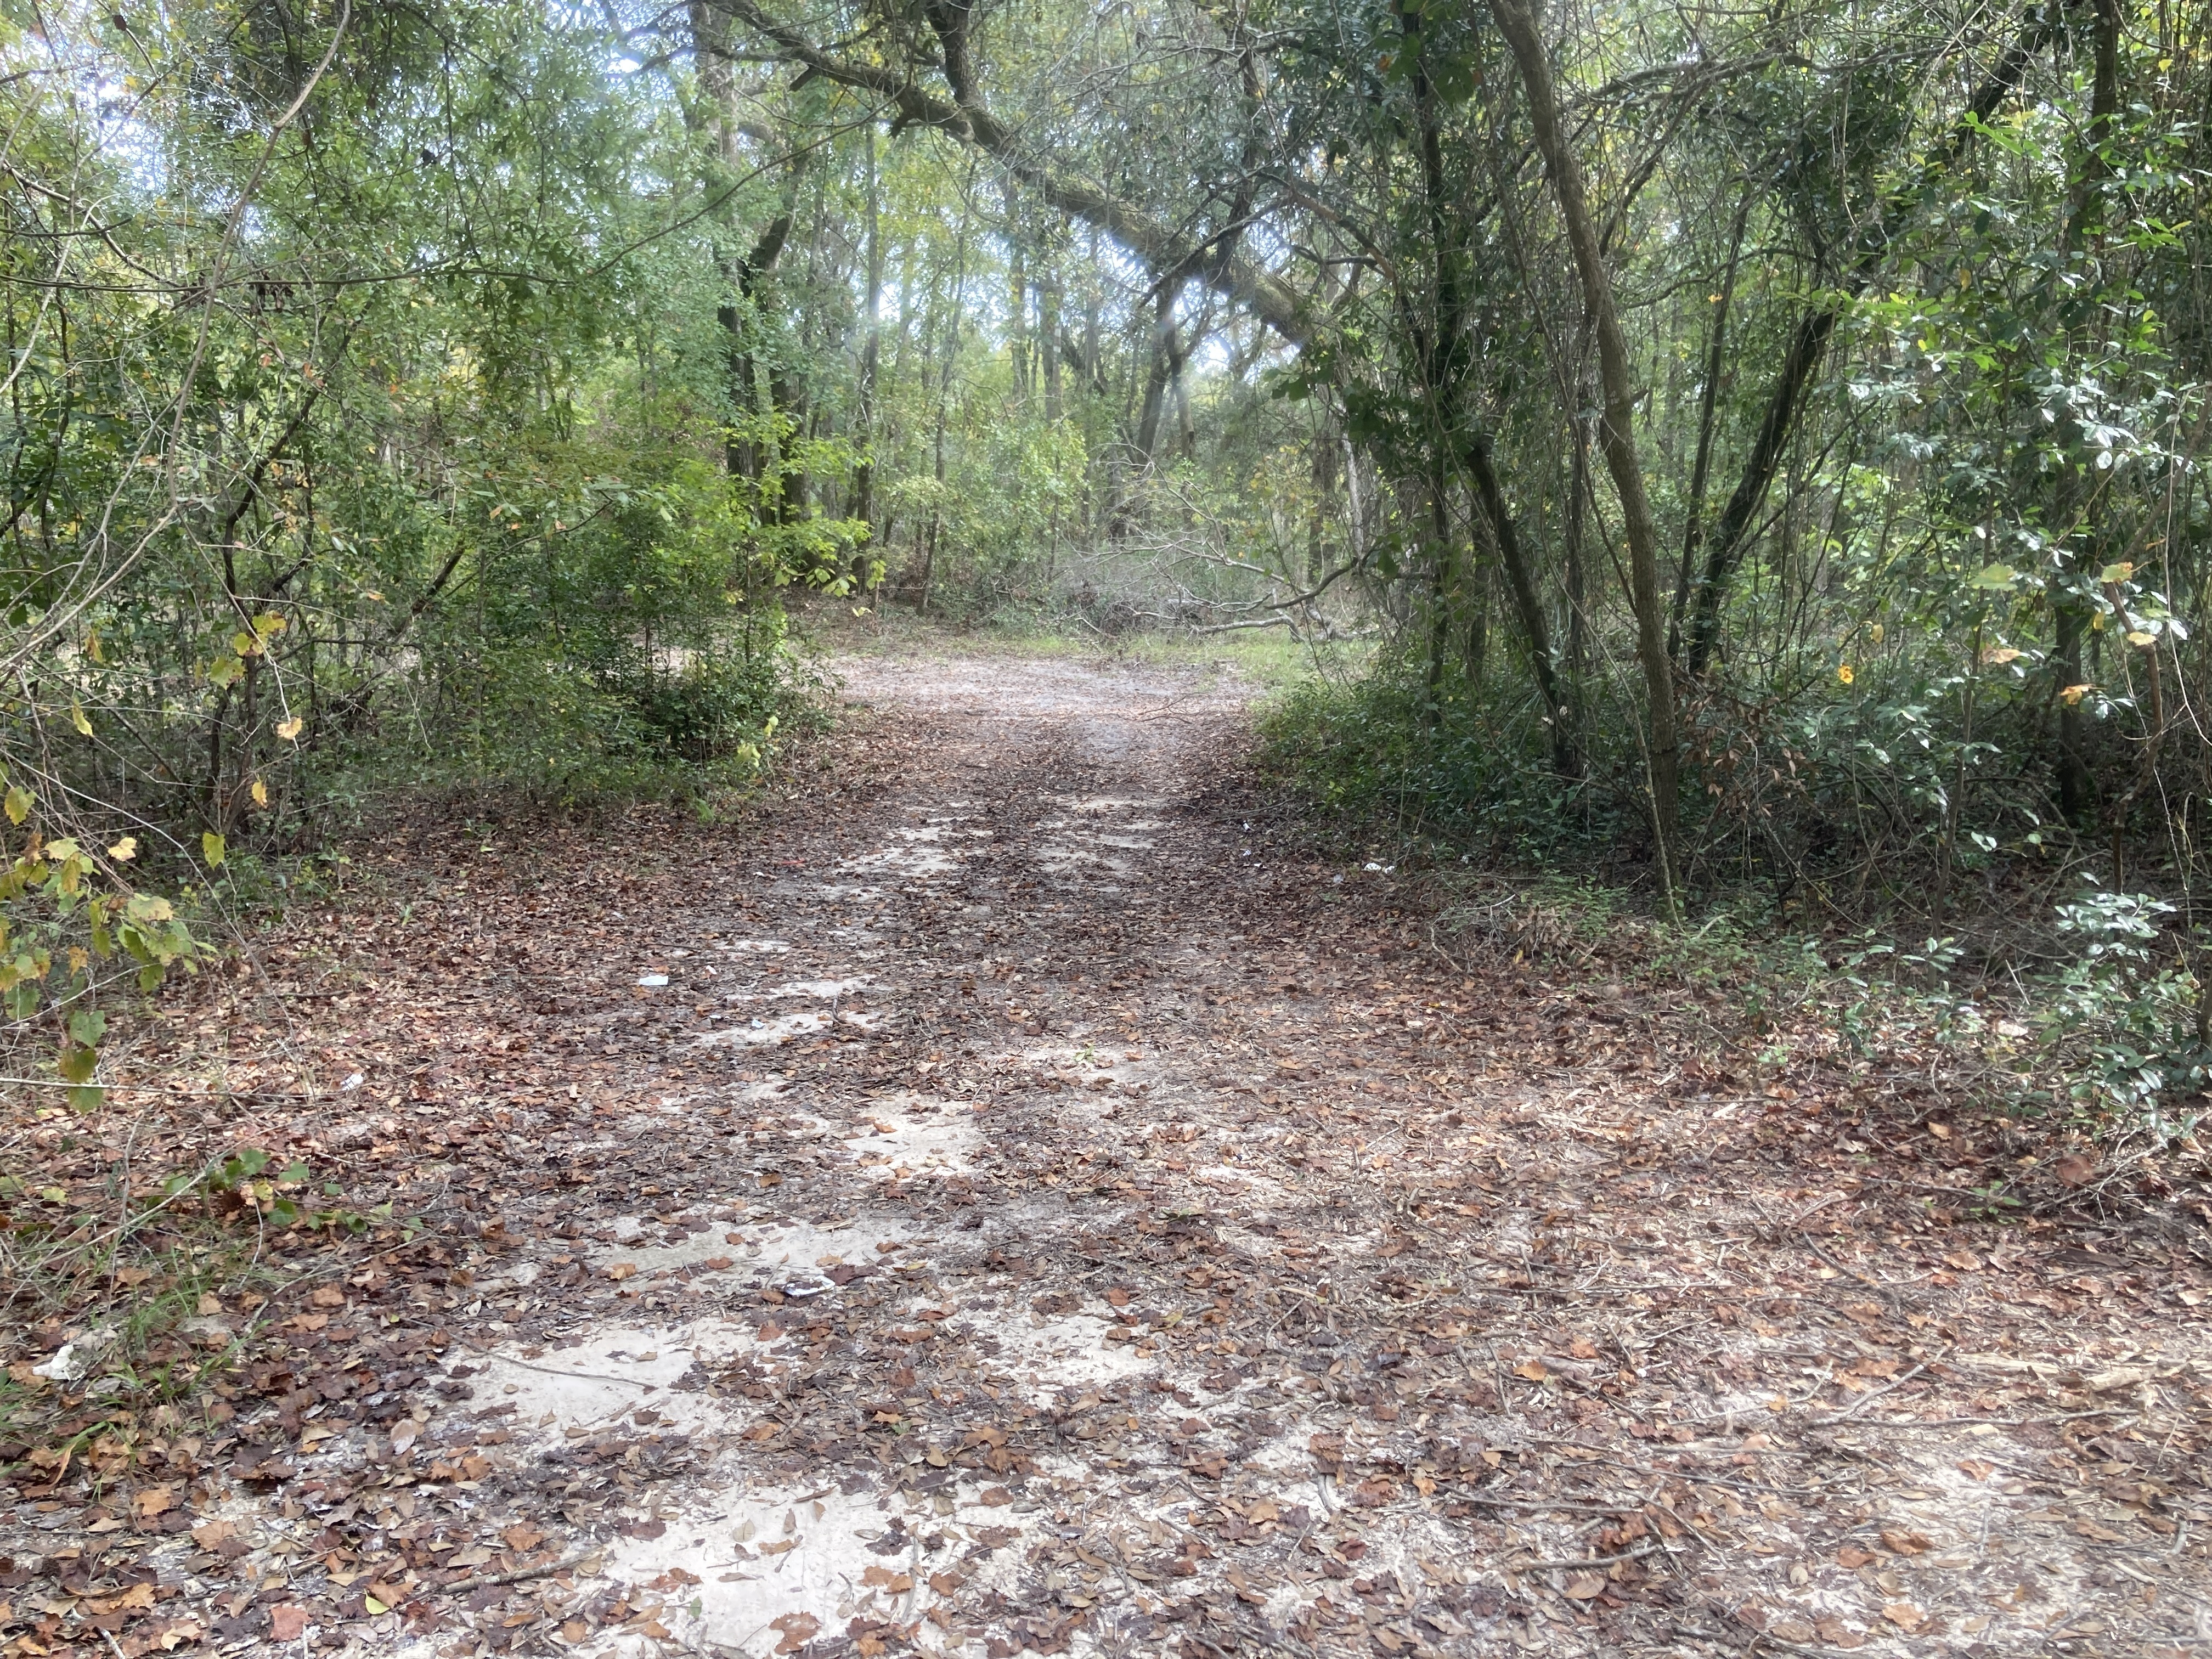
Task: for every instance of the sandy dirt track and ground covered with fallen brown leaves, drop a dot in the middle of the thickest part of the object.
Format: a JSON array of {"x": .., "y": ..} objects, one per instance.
[{"x": 1012, "y": 1196}]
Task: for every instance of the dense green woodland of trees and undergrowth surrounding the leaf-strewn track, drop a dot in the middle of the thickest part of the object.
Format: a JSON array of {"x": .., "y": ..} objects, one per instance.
[{"x": 1760, "y": 450}]
